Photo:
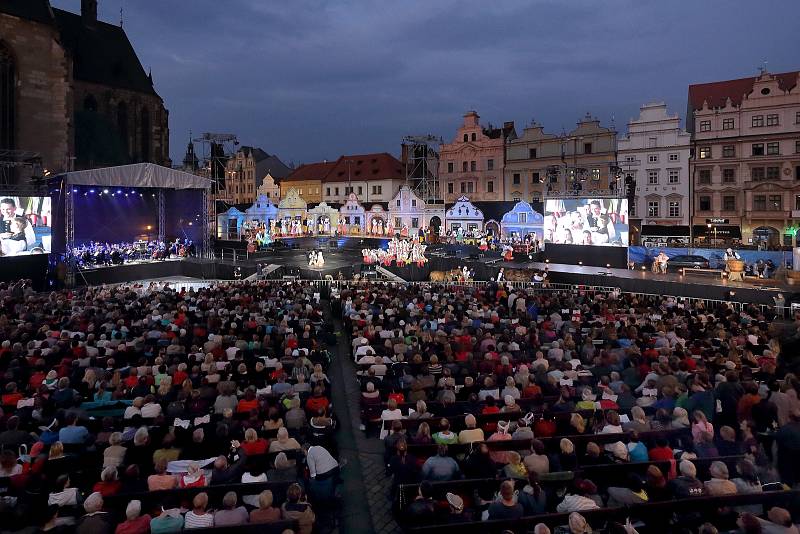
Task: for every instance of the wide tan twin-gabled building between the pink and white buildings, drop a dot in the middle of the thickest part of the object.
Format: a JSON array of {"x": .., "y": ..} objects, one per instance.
[{"x": 582, "y": 159}]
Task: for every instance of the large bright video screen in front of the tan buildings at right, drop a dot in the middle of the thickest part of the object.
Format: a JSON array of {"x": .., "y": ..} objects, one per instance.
[{"x": 586, "y": 221}]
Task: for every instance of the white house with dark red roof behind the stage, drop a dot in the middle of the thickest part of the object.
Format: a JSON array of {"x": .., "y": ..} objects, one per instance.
[{"x": 372, "y": 177}]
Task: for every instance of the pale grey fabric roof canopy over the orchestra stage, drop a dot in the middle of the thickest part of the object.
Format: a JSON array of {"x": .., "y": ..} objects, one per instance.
[{"x": 137, "y": 175}]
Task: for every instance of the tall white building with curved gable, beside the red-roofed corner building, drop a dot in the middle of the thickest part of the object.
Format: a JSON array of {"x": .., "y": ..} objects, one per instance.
[{"x": 655, "y": 151}]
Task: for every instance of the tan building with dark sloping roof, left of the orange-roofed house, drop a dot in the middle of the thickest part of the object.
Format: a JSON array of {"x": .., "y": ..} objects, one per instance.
[{"x": 246, "y": 171}]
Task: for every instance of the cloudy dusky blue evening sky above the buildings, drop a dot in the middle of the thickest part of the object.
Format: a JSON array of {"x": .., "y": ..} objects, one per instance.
[{"x": 311, "y": 79}]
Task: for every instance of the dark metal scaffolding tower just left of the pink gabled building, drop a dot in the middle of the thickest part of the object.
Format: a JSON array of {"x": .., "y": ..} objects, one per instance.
[{"x": 421, "y": 159}]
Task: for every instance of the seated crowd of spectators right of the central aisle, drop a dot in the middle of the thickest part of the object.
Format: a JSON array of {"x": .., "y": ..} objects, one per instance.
[{"x": 605, "y": 400}]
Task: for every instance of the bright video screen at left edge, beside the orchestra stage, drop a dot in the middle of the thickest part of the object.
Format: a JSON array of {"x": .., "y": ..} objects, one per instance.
[{"x": 25, "y": 225}]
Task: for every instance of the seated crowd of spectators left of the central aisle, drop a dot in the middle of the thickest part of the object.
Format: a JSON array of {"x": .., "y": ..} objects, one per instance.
[{"x": 131, "y": 410}]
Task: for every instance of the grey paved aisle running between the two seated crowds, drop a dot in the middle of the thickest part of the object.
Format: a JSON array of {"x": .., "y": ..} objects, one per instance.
[{"x": 365, "y": 501}]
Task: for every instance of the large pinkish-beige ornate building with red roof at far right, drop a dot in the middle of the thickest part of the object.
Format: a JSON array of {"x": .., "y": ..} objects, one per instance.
[{"x": 746, "y": 162}]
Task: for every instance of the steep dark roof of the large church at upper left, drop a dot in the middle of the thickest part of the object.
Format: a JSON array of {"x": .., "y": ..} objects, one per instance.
[{"x": 101, "y": 53}]
